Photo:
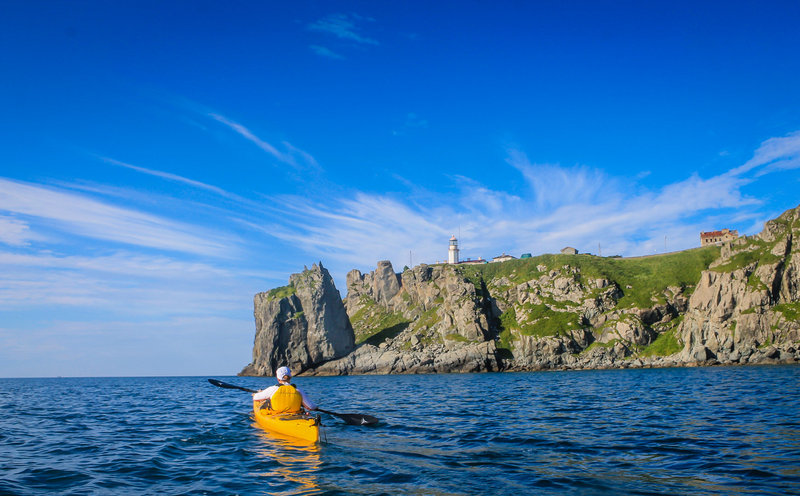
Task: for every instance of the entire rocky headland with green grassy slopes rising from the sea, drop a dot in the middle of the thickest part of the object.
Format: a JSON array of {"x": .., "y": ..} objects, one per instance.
[{"x": 737, "y": 303}]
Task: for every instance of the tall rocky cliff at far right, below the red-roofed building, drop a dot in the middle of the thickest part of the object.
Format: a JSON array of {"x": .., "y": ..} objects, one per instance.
[{"x": 746, "y": 305}]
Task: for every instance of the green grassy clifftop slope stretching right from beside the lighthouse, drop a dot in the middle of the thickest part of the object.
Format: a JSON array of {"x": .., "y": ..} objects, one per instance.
[{"x": 643, "y": 280}]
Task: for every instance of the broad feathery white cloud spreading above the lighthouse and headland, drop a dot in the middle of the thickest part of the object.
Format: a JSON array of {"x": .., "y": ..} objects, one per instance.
[{"x": 577, "y": 206}]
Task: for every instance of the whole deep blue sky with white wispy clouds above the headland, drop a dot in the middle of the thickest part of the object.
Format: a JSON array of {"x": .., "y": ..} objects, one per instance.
[{"x": 162, "y": 162}]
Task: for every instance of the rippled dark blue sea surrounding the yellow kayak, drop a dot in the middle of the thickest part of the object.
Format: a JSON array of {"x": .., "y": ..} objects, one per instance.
[{"x": 670, "y": 431}]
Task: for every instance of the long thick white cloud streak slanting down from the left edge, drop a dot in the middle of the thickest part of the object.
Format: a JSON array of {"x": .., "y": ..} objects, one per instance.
[{"x": 83, "y": 216}]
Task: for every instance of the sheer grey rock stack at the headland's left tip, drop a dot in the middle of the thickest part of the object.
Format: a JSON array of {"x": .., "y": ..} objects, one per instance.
[{"x": 300, "y": 325}]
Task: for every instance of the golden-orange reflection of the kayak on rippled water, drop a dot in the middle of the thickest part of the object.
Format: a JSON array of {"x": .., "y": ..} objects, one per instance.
[{"x": 292, "y": 464}]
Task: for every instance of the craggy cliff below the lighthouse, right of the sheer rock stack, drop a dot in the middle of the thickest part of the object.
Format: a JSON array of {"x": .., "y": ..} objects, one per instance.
[{"x": 426, "y": 320}]
